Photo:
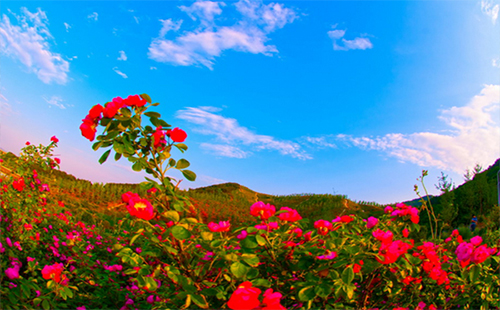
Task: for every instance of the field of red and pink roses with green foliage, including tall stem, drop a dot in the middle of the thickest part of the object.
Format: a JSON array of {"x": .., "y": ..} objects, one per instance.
[{"x": 161, "y": 256}]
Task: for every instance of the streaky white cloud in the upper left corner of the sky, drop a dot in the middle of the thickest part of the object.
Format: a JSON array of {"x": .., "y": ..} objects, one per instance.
[{"x": 28, "y": 43}]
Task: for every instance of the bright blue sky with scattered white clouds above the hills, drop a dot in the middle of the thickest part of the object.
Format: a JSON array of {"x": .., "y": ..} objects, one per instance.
[{"x": 345, "y": 97}]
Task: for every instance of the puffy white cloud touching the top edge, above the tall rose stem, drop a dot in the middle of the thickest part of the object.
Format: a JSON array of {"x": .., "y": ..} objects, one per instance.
[{"x": 208, "y": 41}]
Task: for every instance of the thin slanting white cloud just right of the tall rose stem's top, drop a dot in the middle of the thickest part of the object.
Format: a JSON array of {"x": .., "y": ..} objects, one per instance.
[{"x": 235, "y": 137}]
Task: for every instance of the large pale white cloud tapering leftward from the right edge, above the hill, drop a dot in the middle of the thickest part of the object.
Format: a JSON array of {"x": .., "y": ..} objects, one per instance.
[{"x": 473, "y": 138}]
